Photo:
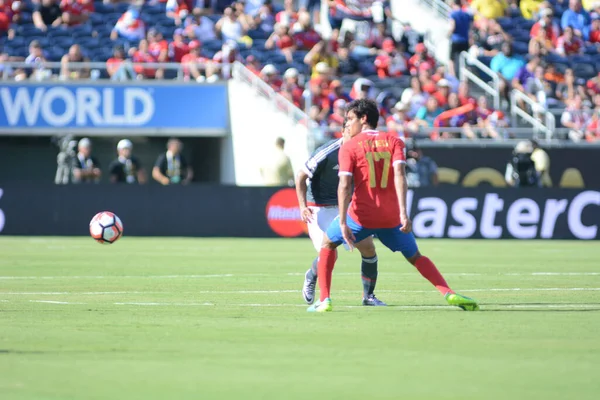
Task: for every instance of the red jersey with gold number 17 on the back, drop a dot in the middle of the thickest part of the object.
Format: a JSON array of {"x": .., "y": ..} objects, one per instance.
[{"x": 369, "y": 157}]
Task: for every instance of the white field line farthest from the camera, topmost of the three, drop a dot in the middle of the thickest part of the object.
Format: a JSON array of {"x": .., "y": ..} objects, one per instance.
[{"x": 288, "y": 274}]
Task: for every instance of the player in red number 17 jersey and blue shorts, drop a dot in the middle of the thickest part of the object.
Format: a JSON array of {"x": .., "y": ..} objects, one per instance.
[{"x": 375, "y": 161}]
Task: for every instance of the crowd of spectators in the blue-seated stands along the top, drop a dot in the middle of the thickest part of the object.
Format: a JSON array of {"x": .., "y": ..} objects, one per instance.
[{"x": 547, "y": 49}]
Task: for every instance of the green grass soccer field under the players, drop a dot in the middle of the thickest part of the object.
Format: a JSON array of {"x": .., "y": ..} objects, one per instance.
[{"x": 224, "y": 319}]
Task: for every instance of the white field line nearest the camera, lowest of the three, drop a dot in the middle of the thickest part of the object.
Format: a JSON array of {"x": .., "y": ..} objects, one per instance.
[{"x": 496, "y": 307}]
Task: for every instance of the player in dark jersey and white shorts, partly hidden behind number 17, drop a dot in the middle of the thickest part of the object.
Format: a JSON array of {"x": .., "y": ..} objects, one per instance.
[{"x": 316, "y": 186}]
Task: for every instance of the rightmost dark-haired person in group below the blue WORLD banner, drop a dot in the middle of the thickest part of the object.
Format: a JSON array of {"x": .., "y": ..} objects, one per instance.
[{"x": 171, "y": 168}]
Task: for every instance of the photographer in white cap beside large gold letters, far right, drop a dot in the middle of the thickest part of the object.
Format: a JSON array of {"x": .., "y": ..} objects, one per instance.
[{"x": 521, "y": 170}]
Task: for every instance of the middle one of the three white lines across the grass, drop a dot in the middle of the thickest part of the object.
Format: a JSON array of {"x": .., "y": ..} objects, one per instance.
[{"x": 574, "y": 289}]
